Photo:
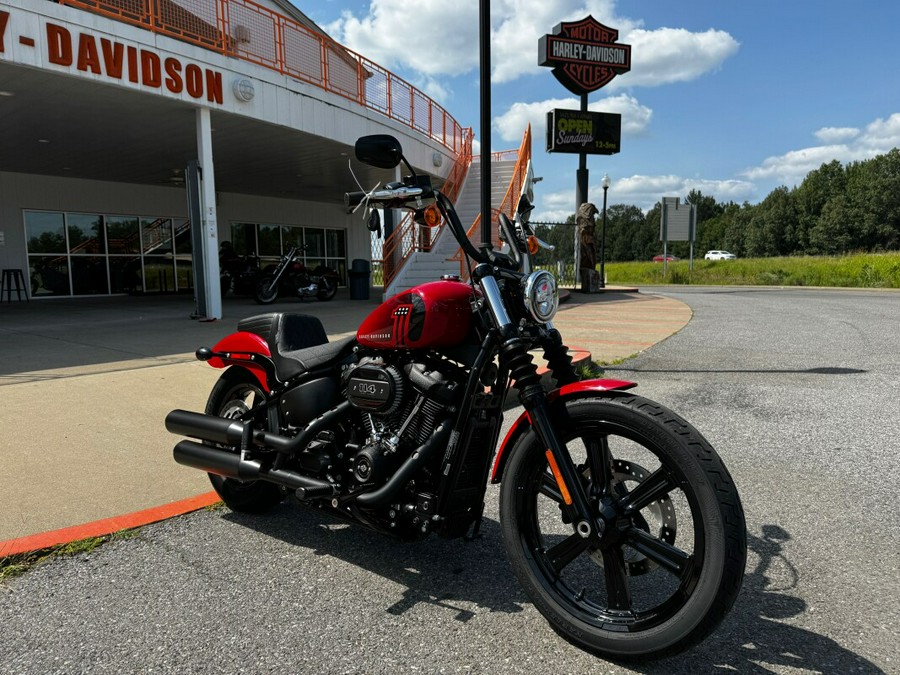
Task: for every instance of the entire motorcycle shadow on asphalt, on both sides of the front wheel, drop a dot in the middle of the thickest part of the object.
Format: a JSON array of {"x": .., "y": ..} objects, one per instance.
[{"x": 450, "y": 574}]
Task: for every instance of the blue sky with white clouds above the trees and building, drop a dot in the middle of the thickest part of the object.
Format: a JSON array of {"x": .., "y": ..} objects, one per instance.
[{"x": 730, "y": 97}]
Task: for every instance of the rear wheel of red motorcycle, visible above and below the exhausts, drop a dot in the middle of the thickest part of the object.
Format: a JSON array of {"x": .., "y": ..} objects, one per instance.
[{"x": 235, "y": 393}]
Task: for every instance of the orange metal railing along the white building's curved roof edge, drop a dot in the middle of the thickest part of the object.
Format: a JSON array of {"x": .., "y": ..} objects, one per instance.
[{"x": 246, "y": 30}]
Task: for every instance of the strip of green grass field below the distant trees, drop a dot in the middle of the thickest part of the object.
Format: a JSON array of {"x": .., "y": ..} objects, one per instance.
[{"x": 855, "y": 271}]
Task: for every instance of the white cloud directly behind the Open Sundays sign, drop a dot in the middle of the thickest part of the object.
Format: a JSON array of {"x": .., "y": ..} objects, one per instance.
[{"x": 511, "y": 124}]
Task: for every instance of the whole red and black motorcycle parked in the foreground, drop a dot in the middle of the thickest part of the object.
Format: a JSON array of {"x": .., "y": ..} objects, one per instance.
[{"x": 618, "y": 518}]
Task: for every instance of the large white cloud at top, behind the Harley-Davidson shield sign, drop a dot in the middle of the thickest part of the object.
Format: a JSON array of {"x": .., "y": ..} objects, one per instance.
[{"x": 441, "y": 39}]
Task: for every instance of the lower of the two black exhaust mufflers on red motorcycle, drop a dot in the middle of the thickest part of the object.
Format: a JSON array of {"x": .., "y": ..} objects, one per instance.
[{"x": 230, "y": 465}]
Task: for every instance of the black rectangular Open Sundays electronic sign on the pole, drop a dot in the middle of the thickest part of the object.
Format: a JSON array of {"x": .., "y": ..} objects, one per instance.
[{"x": 589, "y": 133}]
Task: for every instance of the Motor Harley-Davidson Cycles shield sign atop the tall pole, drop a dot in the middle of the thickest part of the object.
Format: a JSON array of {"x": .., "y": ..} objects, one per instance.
[{"x": 584, "y": 54}]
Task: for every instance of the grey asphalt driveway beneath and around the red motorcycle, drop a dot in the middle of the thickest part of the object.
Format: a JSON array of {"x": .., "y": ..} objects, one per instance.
[{"x": 798, "y": 391}]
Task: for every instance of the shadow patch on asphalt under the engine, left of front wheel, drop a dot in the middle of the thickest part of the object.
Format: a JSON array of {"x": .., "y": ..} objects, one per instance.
[{"x": 445, "y": 573}]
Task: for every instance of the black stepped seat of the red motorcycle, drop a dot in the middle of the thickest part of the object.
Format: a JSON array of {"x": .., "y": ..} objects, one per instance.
[{"x": 298, "y": 342}]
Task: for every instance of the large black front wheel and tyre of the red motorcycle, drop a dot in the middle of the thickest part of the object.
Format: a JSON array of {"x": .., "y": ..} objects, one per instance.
[{"x": 670, "y": 560}]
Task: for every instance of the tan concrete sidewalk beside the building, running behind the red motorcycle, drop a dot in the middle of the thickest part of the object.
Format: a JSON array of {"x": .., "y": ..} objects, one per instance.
[{"x": 87, "y": 382}]
